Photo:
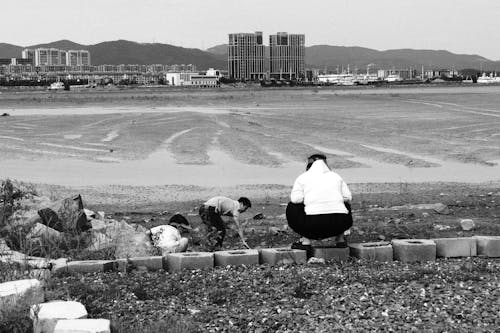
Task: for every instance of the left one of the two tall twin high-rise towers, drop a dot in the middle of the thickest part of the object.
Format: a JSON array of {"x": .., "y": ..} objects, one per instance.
[{"x": 246, "y": 56}]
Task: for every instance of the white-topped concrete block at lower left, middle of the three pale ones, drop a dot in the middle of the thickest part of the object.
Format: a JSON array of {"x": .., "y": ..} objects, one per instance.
[{"x": 46, "y": 315}]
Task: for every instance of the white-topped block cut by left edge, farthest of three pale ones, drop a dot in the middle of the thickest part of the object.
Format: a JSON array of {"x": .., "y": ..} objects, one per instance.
[{"x": 12, "y": 291}]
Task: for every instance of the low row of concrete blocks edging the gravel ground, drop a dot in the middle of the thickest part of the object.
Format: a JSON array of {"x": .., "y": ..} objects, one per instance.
[{"x": 406, "y": 250}]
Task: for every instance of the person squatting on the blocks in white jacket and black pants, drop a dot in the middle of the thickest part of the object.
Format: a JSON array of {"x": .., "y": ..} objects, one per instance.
[{"x": 320, "y": 205}]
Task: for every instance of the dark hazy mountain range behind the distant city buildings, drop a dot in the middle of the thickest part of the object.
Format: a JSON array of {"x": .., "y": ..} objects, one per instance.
[{"x": 317, "y": 56}]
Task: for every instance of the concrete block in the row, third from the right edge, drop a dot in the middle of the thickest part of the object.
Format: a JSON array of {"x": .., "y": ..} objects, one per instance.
[{"x": 411, "y": 250}]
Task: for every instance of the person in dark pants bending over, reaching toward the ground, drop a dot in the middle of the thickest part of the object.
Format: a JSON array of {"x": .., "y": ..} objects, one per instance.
[{"x": 211, "y": 212}]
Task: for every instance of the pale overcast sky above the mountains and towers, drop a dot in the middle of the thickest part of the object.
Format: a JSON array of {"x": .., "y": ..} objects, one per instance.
[{"x": 460, "y": 26}]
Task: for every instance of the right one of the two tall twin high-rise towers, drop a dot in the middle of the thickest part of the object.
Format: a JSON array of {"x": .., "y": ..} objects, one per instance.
[{"x": 286, "y": 56}]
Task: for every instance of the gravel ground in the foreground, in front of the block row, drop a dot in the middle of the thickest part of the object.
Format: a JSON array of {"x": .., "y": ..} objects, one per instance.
[{"x": 459, "y": 295}]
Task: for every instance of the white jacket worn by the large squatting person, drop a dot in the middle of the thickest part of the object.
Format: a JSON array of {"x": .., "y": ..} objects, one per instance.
[{"x": 321, "y": 190}]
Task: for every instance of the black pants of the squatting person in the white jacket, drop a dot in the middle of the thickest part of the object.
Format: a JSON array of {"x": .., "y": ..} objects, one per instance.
[{"x": 317, "y": 226}]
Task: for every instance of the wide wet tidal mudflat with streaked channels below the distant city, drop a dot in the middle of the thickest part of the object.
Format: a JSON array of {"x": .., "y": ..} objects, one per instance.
[{"x": 202, "y": 140}]
